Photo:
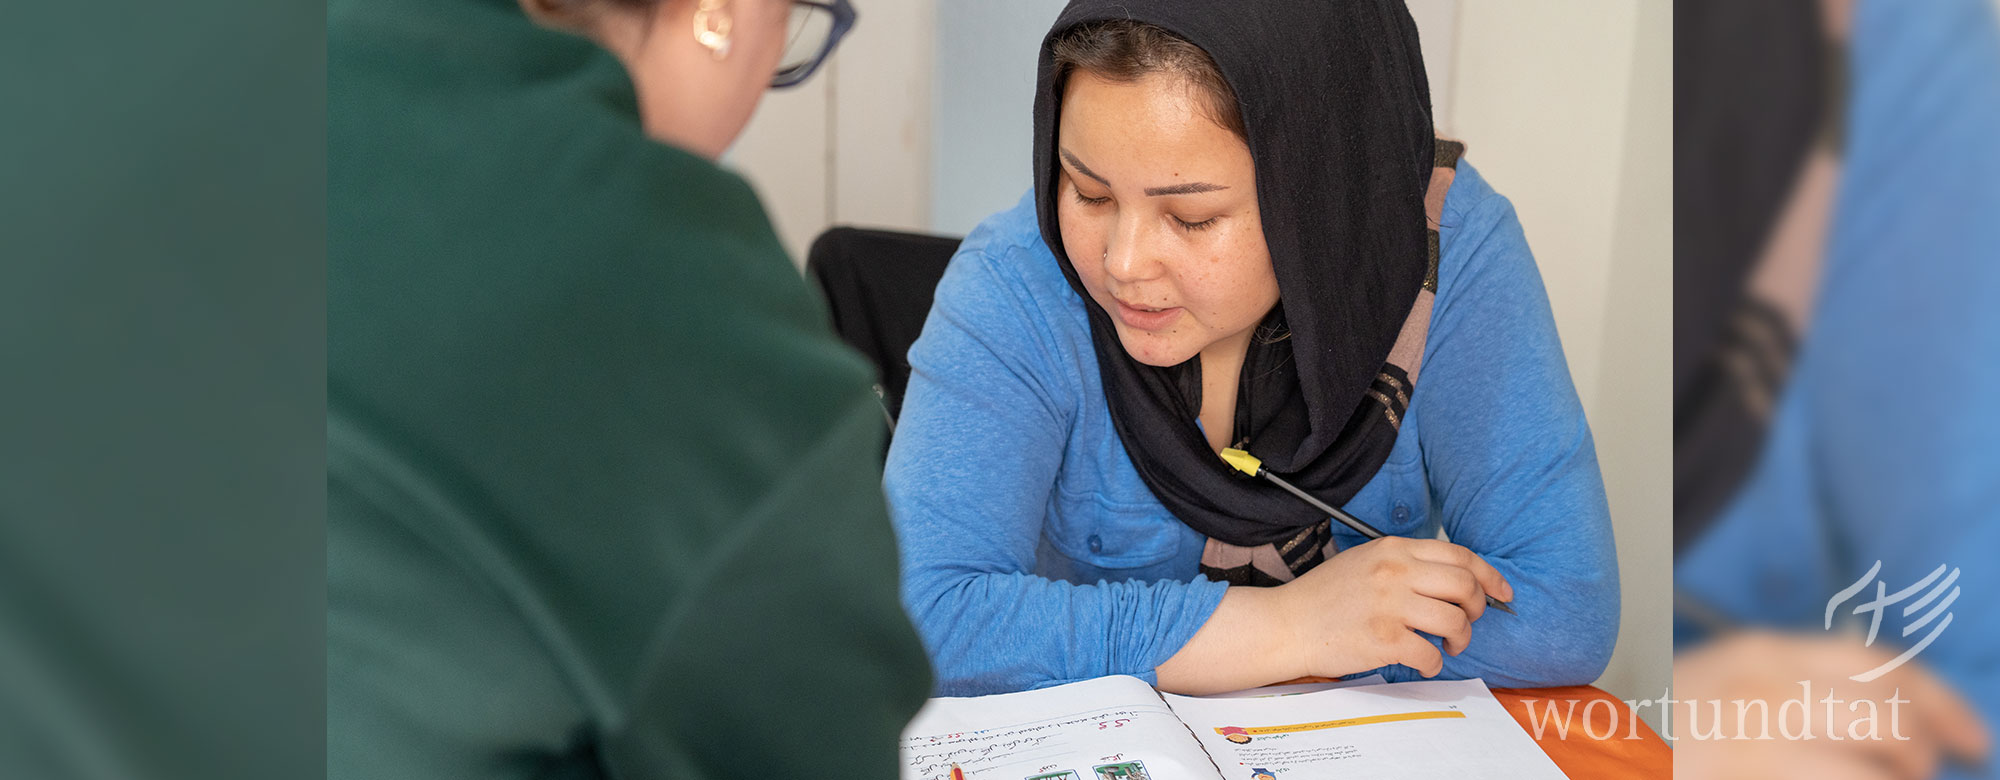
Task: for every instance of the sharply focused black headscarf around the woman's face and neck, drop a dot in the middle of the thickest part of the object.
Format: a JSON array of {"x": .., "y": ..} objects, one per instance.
[{"x": 1337, "y": 111}]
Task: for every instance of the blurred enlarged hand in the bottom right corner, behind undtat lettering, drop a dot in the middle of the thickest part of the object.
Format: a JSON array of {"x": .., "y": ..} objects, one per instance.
[{"x": 1769, "y": 667}]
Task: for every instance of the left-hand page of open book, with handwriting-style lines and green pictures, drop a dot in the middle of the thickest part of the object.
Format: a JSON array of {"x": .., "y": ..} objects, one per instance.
[{"x": 1107, "y": 729}]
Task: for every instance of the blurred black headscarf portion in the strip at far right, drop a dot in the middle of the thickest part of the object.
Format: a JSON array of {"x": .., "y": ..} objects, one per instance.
[{"x": 1753, "y": 89}]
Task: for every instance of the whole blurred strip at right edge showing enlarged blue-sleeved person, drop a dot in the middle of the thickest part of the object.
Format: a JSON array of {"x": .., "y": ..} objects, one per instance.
[{"x": 1835, "y": 383}]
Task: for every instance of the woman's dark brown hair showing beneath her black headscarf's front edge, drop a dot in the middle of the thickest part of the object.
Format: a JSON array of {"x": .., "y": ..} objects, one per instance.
[{"x": 1125, "y": 51}]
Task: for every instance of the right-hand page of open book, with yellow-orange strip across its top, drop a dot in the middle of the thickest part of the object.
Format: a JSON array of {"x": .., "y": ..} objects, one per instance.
[{"x": 1415, "y": 731}]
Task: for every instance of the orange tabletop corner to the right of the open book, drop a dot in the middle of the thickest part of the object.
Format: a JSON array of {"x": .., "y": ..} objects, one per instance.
[{"x": 1603, "y": 741}]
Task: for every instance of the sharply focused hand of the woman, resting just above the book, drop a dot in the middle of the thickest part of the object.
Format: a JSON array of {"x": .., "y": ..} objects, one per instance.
[{"x": 1365, "y": 607}]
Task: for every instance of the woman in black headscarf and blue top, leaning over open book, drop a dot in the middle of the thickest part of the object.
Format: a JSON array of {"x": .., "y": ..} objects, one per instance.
[{"x": 1245, "y": 235}]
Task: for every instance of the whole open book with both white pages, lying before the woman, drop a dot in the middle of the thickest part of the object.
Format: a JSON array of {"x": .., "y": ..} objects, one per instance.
[{"x": 1121, "y": 729}]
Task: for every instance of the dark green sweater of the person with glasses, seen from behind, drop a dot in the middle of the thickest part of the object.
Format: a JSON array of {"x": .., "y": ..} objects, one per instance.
[{"x": 603, "y": 489}]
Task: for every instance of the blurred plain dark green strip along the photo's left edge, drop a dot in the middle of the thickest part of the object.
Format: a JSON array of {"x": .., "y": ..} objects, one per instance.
[{"x": 163, "y": 233}]
